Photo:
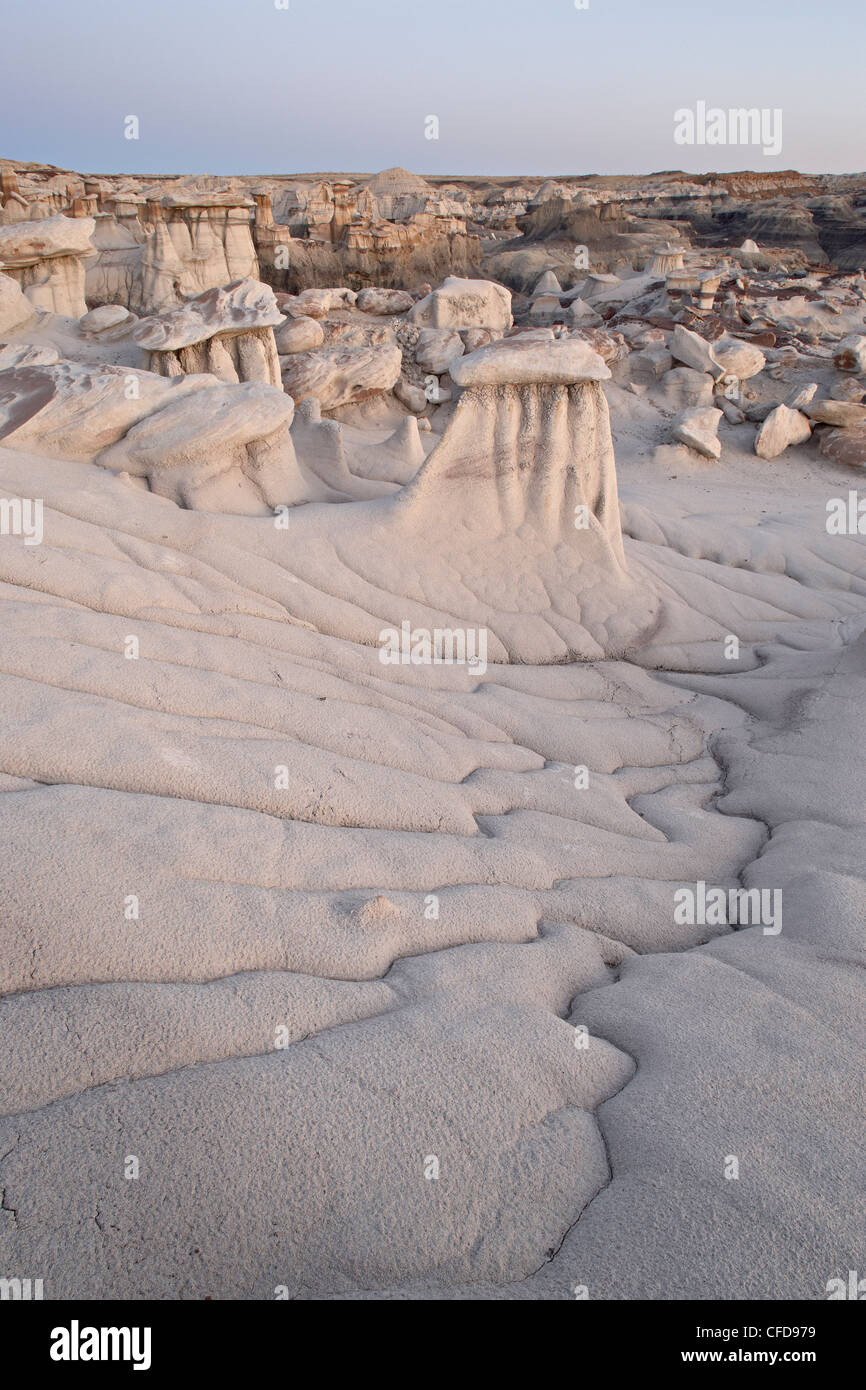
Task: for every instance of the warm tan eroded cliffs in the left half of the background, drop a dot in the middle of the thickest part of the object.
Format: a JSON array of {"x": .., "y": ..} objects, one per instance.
[{"x": 159, "y": 243}]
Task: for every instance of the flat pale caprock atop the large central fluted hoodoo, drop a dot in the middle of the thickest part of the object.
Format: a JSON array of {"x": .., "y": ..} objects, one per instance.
[{"x": 559, "y": 362}]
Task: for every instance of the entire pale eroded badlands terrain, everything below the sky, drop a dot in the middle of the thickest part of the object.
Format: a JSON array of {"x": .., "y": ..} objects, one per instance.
[{"x": 366, "y": 728}]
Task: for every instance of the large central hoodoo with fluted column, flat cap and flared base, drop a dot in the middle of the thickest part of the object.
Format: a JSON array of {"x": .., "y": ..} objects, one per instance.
[{"x": 512, "y": 523}]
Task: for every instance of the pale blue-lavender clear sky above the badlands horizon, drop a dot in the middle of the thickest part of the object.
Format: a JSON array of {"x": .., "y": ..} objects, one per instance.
[{"x": 519, "y": 87}]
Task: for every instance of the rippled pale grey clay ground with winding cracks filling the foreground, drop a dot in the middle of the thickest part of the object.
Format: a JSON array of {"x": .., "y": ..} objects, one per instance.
[{"x": 372, "y": 989}]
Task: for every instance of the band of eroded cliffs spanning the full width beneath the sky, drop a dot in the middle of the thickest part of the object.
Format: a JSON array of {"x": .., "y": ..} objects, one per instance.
[{"x": 159, "y": 243}]
